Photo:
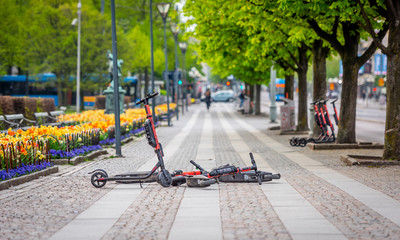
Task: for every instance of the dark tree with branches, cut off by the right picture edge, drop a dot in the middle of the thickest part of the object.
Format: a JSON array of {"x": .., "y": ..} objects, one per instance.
[{"x": 390, "y": 11}]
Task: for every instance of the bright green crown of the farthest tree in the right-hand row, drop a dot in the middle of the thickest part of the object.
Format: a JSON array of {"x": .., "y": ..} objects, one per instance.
[{"x": 222, "y": 42}]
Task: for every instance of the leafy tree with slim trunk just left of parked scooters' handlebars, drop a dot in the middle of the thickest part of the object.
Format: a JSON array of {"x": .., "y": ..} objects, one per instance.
[{"x": 280, "y": 39}]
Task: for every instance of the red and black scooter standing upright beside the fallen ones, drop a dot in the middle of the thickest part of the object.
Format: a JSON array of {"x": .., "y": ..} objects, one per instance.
[{"x": 163, "y": 177}]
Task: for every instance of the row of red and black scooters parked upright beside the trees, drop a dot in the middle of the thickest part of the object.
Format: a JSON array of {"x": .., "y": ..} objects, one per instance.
[{"x": 323, "y": 120}]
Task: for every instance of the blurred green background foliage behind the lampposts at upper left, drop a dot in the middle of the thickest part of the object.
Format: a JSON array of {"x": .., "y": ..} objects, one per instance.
[{"x": 38, "y": 36}]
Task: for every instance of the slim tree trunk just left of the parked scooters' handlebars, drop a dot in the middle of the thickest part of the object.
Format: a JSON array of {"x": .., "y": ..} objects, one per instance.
[{"x": 302, "y": 122}]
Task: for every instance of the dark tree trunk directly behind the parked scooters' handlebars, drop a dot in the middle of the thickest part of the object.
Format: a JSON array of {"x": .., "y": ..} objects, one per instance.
[{"x": 320, "y": 54}]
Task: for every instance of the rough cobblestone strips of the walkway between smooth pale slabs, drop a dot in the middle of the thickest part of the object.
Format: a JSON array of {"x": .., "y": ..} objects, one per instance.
[{"x": 39, "y": 209}]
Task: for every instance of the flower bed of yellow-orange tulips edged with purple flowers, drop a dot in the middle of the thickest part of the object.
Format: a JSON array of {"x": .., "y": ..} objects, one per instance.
[{"x": 23, "y": 152}]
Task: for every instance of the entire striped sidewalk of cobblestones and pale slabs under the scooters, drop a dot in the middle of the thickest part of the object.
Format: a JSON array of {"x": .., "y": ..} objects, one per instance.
[{"x": 317, "y": 198}]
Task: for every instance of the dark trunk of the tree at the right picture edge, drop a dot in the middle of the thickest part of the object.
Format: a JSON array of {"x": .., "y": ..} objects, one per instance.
[{"x": 392, "y": 127}]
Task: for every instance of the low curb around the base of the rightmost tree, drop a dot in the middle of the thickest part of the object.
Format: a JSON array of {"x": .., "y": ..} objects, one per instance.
[{"x": 364, "y": 160}]
